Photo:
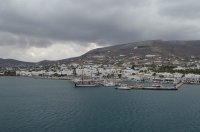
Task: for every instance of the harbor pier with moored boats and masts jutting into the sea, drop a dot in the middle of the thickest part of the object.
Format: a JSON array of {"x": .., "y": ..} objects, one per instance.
[{"x": 129, "y": 85}]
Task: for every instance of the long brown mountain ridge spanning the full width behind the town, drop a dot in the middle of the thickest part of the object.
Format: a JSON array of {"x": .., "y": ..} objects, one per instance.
[{"x": 178, "y": 48}]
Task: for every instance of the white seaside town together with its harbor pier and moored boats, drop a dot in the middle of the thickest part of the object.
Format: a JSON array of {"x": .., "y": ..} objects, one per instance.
[{"x": 128, "y": 74}]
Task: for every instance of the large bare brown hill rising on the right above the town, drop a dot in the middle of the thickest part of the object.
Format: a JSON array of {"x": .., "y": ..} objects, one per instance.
[{"x": 181, "y": 49}]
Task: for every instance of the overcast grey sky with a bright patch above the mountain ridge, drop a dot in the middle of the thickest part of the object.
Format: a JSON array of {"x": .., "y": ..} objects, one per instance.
[{"x": 34, "y": 30}]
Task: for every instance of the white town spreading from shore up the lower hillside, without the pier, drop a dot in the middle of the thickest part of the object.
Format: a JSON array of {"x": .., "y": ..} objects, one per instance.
[{"x": 150, "y": 68}]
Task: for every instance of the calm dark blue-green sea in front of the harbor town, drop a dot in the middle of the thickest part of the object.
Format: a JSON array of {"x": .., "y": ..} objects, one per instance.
[{"x": 36, "y": 105}]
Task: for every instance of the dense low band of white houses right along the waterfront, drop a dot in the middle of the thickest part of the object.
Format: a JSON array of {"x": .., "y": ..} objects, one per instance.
[{"x": 108, "y": 72}]
